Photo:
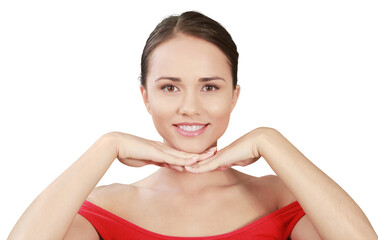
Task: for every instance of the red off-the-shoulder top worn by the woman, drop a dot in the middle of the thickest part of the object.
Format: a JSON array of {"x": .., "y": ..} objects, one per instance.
[{"x": 276, "y": 225}]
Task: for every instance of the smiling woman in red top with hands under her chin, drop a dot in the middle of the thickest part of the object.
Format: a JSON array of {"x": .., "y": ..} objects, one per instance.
[{"x": 189, "y": 86}]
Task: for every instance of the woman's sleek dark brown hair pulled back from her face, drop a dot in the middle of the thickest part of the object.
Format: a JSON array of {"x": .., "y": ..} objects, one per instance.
[{"x": 193, "y": 24}]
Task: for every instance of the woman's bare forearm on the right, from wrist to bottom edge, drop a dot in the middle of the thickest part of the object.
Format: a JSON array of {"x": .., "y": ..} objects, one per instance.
[{"x": 332, "y": 211}]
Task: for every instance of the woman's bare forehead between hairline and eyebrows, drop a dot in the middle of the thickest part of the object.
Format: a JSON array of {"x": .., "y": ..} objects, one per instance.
[{"x": 188, "y": 57}]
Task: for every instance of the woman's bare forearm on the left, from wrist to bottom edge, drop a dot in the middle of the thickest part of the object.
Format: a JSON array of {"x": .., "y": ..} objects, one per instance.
[{"x": 51, "y": 213}]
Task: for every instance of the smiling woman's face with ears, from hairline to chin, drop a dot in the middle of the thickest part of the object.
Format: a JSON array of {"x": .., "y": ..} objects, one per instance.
[{"x": 189, "y": 93}]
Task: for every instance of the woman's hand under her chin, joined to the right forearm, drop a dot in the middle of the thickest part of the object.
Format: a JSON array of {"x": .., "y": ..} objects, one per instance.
[{"x": 242, "y": 152}]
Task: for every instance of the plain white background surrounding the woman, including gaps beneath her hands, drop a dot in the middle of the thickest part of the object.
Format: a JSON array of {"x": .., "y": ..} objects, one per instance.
[{"x": 69, "y": 73}]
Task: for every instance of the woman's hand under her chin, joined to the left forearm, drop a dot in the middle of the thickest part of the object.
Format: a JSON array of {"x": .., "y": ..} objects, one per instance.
[{"x": 137, "y": 152}]
